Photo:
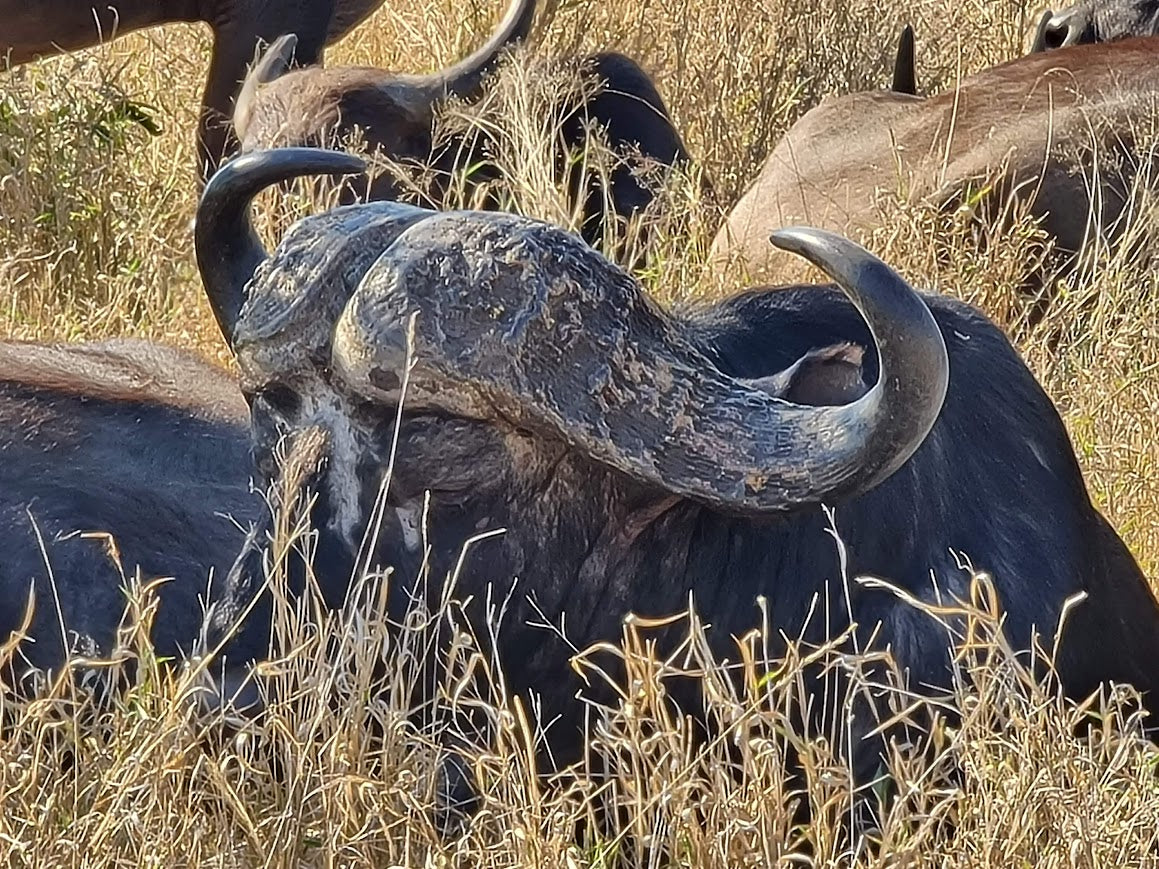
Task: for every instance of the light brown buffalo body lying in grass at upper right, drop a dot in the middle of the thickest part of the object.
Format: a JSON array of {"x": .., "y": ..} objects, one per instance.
[{"x": 1066, "y": 133}]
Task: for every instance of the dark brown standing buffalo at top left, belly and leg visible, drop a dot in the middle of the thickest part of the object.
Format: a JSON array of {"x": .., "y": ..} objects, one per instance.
[{"x": 40, "y": 28}]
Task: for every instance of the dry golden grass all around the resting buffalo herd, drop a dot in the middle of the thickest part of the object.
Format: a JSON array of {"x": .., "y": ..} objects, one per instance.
[{"x": 98, "y": 189}]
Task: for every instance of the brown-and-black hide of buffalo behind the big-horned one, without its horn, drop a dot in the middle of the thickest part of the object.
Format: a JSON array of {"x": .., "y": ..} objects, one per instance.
[{"x": 317, "y": 107}]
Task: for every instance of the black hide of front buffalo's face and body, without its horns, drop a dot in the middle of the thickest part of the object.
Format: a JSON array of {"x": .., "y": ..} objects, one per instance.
[{"x": 1000, "y": 485}]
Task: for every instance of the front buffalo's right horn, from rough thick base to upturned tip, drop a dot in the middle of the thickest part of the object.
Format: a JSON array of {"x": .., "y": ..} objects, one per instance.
[{"x": 568, "y": 345}]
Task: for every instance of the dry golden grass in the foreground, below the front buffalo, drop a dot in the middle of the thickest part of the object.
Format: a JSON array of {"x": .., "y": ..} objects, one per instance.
[{"x": 339, "y": 772}]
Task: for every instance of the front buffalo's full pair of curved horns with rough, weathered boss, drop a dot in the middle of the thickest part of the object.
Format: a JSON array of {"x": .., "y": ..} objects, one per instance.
[{"x": 515, "y": 324}]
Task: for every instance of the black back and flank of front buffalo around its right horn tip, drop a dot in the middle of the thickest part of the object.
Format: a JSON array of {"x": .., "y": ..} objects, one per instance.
[{"x": 996, "y": 480}]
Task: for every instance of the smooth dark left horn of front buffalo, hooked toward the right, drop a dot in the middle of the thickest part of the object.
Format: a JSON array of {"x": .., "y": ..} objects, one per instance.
[{"x": 228, "y": 249}]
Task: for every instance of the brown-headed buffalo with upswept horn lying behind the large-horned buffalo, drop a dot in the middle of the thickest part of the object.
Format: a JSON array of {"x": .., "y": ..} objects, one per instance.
[{"x": 398, "y": 118}]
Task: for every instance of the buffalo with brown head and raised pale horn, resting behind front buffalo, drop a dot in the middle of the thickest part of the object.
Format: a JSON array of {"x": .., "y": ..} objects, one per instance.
[{"x": 397, "y": 115}]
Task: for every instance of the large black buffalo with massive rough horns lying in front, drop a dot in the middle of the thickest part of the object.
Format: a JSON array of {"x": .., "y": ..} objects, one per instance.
[{"x": 638, "y": 457}]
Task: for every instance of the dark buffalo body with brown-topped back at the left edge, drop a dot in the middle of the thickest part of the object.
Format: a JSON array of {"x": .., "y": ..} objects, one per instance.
[{"x": 127, "y": 439}]
